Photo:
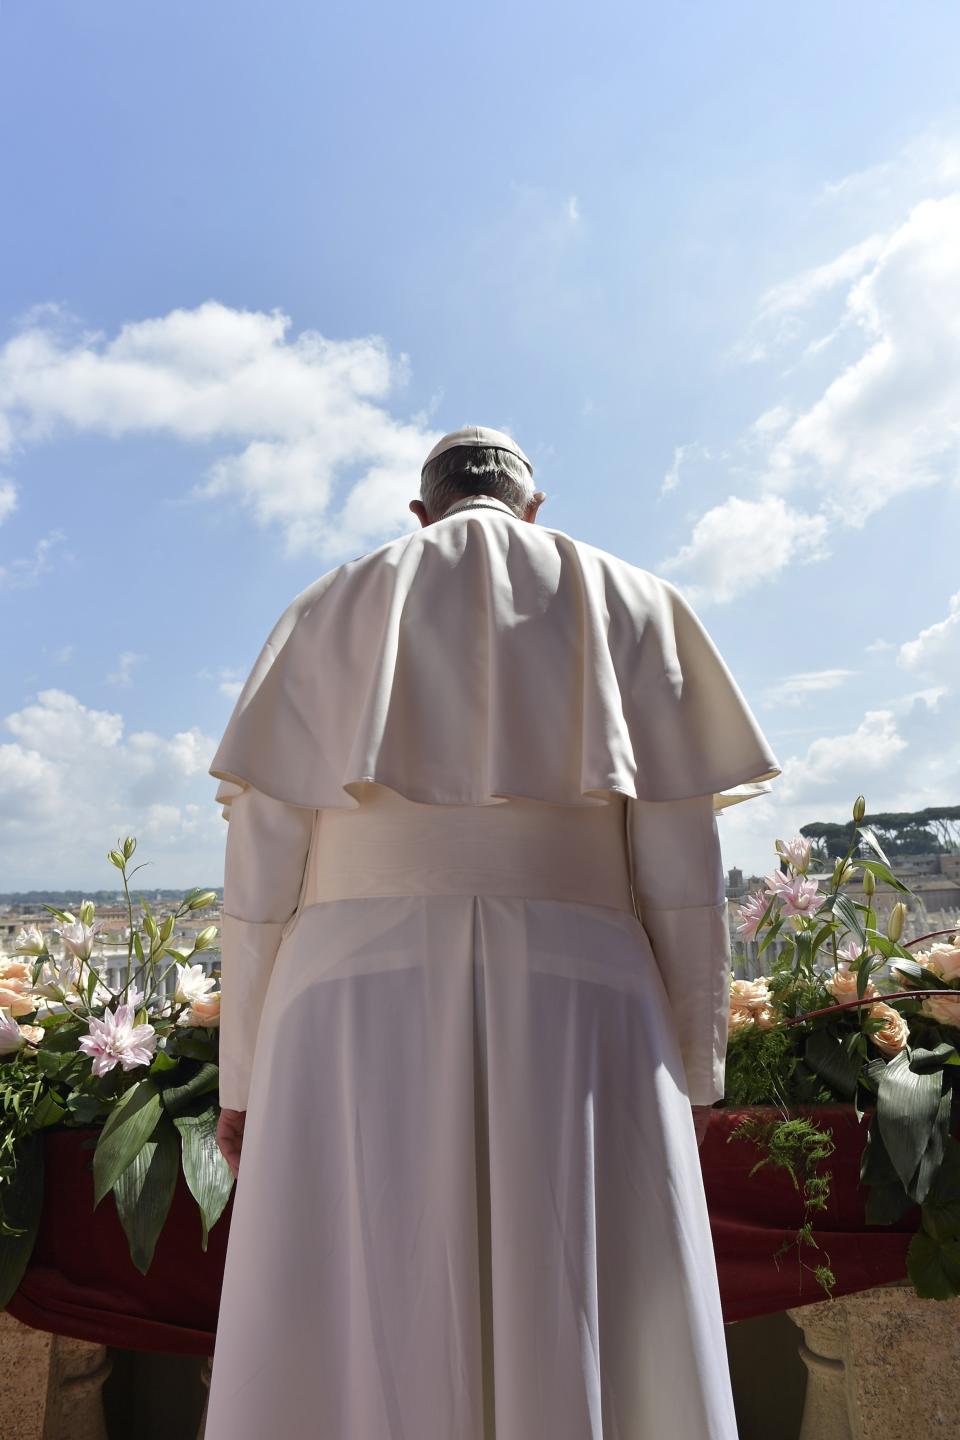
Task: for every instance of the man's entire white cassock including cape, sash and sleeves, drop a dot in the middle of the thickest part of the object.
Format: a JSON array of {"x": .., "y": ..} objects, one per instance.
[{"x": 476, "y": 970}]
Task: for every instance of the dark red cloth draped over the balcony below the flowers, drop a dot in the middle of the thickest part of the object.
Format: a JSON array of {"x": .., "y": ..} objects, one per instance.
[{"x": 81, "y": 1281}]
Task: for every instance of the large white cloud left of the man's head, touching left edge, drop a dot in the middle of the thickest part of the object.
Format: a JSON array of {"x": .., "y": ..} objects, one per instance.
[{"x": 309, "y": 446}]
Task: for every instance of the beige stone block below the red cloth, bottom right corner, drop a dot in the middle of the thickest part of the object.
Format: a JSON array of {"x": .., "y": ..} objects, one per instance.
[{"x": 882, "y": 1366}]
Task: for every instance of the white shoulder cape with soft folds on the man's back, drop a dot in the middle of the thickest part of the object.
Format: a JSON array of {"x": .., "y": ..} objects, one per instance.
[{"x": 486, "y": 657}]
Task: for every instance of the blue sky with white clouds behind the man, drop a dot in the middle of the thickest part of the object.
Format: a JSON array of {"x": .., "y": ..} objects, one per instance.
[{"x": 703, "y": 261}]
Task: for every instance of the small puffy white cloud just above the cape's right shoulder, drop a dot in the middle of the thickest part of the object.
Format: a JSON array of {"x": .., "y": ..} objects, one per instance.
[{"x": 741, "y": 544}]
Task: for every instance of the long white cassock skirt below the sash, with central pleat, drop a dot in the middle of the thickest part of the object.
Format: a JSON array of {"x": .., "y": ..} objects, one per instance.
[{"x": 477, "y": 1212}]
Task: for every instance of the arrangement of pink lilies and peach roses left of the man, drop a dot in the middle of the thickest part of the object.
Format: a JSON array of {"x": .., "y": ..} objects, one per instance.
[{"x": 139, "y": 1062}]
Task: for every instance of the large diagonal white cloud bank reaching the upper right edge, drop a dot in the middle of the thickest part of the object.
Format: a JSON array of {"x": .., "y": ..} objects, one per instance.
[{"x": 884, "y": 426}]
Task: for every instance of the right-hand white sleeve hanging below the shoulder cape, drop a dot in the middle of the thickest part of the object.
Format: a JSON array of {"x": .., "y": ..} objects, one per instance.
[{"x": 679, "y": 885}]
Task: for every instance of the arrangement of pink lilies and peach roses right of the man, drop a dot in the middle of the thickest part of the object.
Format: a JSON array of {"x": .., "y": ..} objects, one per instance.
[{"x": 820, "y": 1030}]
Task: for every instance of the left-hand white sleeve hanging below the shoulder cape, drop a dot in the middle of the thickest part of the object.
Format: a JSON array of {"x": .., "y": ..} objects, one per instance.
[{"x": 264, "y": 869}]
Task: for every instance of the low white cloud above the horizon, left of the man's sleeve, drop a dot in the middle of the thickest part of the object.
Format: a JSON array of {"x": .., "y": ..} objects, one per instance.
[{"x": 73, "y": 783}]
